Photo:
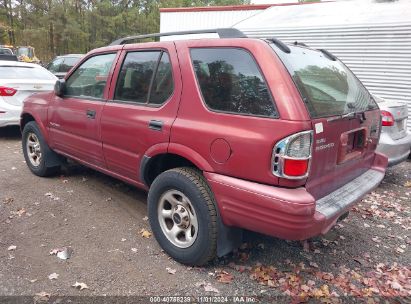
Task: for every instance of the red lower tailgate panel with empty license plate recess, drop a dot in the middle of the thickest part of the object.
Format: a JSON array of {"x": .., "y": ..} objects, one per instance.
[{"x": 343, "y": 149}]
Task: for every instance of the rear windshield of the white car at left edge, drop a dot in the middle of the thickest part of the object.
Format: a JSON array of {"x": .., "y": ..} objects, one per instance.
[{"x": 16, "y": 72}]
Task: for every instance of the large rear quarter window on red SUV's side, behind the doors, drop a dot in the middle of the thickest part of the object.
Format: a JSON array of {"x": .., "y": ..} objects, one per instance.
[{"x": 230, "y": 81}]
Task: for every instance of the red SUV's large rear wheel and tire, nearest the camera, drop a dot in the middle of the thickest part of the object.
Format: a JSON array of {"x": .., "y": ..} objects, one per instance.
[{"x": 183, "y": 216}]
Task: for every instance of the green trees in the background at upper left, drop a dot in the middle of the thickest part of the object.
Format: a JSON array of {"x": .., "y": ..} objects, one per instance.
[{"x": 57, "y": 27}]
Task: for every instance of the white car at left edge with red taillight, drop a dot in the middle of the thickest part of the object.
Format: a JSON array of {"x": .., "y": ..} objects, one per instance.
[{"x": 19, "y": 80}]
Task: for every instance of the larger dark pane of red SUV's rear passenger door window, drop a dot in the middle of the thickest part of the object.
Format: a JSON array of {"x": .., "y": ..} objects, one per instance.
[{"x": 135, "y": 76}]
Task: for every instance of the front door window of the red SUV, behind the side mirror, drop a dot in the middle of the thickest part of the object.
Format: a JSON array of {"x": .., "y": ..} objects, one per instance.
[{"x": 89, "y": 79}]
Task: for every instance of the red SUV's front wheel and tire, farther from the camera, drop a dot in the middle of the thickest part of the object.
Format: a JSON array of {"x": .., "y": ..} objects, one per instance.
[{"x": 40, "y": 159}]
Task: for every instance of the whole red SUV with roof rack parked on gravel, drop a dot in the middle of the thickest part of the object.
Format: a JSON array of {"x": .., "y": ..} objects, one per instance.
[{"x": 225, "y": 134}]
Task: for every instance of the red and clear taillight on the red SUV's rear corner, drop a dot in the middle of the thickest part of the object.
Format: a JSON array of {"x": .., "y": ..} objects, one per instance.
[{"x": 291, "y": 156}]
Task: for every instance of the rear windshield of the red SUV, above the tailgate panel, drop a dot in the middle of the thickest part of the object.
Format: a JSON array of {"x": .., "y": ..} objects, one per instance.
[{"x": 327, "y": 87}]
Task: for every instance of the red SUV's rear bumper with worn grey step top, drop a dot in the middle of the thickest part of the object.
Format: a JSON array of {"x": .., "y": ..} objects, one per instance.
[{"x": 291, "y": 214}]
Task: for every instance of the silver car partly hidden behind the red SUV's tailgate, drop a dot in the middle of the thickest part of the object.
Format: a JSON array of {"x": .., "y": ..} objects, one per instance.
[{"x": 395, "y": 141}]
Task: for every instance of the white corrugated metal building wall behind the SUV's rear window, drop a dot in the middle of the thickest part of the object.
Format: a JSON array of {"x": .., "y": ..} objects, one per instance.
[{"x": 372, "y": 39}]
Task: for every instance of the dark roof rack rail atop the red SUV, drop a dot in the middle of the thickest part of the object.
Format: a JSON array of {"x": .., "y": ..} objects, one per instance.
[{"x": 222, "y": 33}]
